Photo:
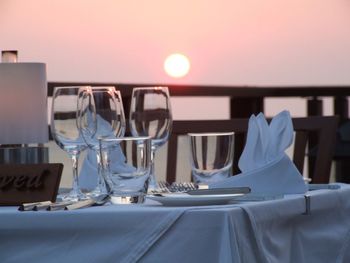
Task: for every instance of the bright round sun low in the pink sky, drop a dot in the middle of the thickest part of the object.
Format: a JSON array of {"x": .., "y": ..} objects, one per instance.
[{"x": 177, "y": 65}]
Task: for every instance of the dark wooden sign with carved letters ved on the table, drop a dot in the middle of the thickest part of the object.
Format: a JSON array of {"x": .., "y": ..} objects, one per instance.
[{"x": 27, "y": 183}]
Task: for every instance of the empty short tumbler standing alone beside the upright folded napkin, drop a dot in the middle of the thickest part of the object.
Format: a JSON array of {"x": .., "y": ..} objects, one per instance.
[{"x": 211, "y": 156}]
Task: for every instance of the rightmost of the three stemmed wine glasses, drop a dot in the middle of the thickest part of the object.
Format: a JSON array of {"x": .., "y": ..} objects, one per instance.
[{"x": 150, "y": 115}]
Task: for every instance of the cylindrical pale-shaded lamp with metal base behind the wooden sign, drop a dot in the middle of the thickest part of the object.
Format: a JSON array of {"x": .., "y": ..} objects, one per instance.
[{"x": 23, "y": 111}]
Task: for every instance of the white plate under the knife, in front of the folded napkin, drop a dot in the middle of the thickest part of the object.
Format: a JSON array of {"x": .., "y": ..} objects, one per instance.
[{"x": 178, "y": 199}]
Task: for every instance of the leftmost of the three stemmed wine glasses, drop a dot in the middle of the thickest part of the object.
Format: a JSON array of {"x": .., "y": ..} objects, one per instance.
[{"x": 65, "y": 132}]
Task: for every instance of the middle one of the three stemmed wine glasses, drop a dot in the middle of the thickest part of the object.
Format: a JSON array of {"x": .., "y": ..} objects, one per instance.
[{"x": 102, "y": 117}]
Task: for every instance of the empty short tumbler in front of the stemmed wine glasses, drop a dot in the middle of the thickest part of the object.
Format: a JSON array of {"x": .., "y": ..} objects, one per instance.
[{"x": 126, "y": 166}]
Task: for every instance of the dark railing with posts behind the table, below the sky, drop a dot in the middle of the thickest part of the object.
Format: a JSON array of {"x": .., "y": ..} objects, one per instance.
[{"x": 246, "y": 100}]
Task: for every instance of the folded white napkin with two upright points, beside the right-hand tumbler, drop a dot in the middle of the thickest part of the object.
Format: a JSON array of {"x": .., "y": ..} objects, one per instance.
[{"x": 265, "y": 167}]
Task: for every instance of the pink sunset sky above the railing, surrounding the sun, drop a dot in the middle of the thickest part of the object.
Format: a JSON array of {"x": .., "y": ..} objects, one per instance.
[{"x": 231, "y": 42}]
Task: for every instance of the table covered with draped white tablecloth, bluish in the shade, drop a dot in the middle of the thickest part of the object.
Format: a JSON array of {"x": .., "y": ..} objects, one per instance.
[{"x": 265, "y": 231}]
